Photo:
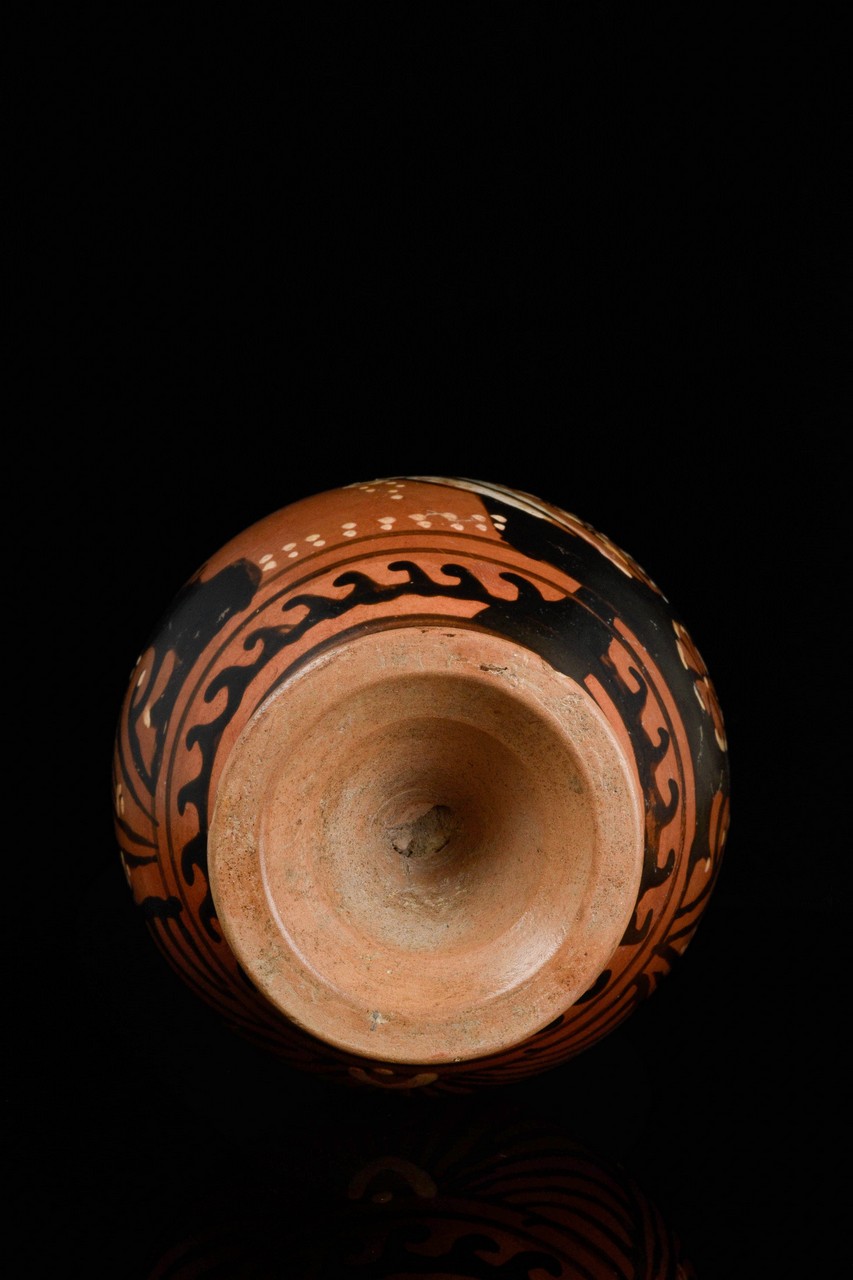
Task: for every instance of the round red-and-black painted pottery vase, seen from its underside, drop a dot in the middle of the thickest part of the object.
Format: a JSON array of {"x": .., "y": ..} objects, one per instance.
[{"x": 422, "y": 783}]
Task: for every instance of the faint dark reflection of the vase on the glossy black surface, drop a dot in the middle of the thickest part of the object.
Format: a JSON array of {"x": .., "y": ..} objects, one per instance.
[{"x": 516, "y": 1199}]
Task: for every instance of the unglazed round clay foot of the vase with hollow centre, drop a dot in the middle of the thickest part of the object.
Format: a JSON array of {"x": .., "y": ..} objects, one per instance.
[{"x": 427, "y": 844}]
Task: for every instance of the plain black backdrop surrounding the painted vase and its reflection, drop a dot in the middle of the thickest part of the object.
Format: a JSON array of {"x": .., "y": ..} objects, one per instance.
[{"x": 594, "y": 255}]
